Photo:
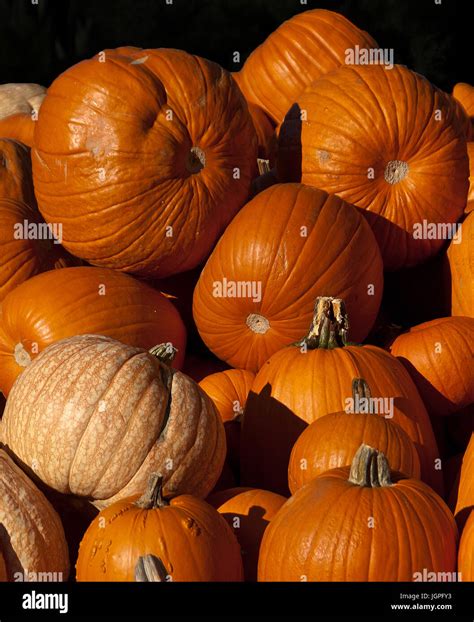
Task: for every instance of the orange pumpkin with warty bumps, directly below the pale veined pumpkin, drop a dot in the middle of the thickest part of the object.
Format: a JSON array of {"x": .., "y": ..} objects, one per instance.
[{"x": 189, "y": 540}]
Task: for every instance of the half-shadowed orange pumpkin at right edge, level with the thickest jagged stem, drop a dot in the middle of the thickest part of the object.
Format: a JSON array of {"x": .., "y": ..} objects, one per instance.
[{"x": 438, "y": 355}]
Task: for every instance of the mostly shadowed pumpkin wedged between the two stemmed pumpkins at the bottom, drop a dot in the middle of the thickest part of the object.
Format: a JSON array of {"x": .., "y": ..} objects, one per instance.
[{"x": 248, "y": 511}]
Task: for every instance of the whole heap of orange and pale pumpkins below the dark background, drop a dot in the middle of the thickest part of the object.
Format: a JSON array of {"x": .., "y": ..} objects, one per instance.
[{"x": 204, "y": 378}]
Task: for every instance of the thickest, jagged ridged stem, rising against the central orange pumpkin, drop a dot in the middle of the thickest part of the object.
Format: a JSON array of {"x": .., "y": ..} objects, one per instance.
[{"x": 330, "y": 325}]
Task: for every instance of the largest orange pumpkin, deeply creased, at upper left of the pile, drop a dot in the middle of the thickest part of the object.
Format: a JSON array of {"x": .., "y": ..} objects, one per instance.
[{"x": 167, "y": 160}]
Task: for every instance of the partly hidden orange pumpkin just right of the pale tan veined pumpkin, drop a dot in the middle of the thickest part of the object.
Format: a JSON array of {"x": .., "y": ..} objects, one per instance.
[{"x": 229, "y": 390}]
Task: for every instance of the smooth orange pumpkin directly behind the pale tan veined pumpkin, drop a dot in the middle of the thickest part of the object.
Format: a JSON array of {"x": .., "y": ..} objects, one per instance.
[{"x": 75, "y": 301}]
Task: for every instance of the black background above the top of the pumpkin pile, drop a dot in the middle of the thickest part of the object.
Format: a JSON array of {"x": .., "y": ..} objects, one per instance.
[{"x": 39, "y": 41}]
